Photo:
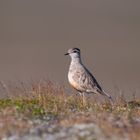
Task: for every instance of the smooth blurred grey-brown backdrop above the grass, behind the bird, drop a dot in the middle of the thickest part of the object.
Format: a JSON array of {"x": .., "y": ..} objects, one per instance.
[{"x": 34, "y": 35}]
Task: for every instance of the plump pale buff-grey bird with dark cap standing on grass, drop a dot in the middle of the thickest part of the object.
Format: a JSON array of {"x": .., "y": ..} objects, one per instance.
[{"x": 80, "y": 78}]
